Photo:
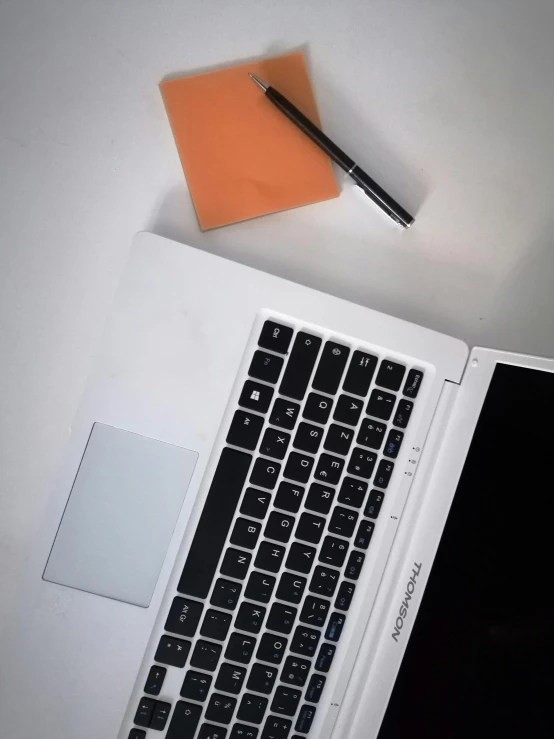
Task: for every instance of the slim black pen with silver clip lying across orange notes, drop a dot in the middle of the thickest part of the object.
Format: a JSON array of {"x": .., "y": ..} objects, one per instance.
[{"x": 363, "y": 180}]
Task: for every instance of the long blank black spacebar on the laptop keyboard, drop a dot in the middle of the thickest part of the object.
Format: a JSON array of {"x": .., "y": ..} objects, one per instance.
[{"x": 214, "y": 523}]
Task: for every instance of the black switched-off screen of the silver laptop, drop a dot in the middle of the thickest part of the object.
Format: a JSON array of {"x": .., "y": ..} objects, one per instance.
[{"x": 480, "y": 660}]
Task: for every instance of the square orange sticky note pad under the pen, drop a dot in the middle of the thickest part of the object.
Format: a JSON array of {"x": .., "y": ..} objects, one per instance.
[{"x": 243, "y": 158}]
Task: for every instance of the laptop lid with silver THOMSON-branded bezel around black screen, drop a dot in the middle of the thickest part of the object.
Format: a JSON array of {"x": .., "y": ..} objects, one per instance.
[{"x": 478, "y": 662}]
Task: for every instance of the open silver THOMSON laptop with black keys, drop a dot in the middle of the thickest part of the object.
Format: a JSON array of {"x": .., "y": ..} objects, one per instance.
[{"x": 281, "y": 515}]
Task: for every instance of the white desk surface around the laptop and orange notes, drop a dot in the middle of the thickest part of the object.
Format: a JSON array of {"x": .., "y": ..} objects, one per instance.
[{"x": 450, "y": 105}]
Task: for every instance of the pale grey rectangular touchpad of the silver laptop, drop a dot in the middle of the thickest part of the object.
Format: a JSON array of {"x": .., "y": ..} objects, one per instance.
[{"x": 121, "y": 514}]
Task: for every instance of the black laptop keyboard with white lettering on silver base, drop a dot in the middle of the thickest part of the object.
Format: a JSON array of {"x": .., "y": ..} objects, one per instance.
[{"x": 285, "y": 531}]
